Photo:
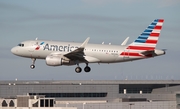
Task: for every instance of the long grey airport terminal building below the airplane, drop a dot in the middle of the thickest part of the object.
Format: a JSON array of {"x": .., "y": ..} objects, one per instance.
[{"x": 91, "y": 94}]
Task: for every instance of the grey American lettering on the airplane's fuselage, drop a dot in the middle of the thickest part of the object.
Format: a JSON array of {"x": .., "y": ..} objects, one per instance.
[{"x": 66, "y": 48}]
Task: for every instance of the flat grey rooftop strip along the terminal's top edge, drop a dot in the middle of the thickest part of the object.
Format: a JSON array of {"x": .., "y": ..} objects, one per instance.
[{"x": 80, "y": 82}]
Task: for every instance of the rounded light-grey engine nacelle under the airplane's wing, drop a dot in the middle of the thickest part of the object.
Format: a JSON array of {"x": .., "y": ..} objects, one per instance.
[{"x": 56, "y": 60}]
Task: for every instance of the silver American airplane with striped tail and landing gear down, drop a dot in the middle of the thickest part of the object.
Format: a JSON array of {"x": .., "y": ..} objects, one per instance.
[{"x": 58, "y": 53}]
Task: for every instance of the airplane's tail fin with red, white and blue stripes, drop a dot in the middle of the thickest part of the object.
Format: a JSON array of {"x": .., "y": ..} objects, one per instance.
[{"x": 149, "y": 38}]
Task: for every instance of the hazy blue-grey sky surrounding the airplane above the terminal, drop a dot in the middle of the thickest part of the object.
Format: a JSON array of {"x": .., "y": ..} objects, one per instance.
[{"x": 109, "y": 21}]
